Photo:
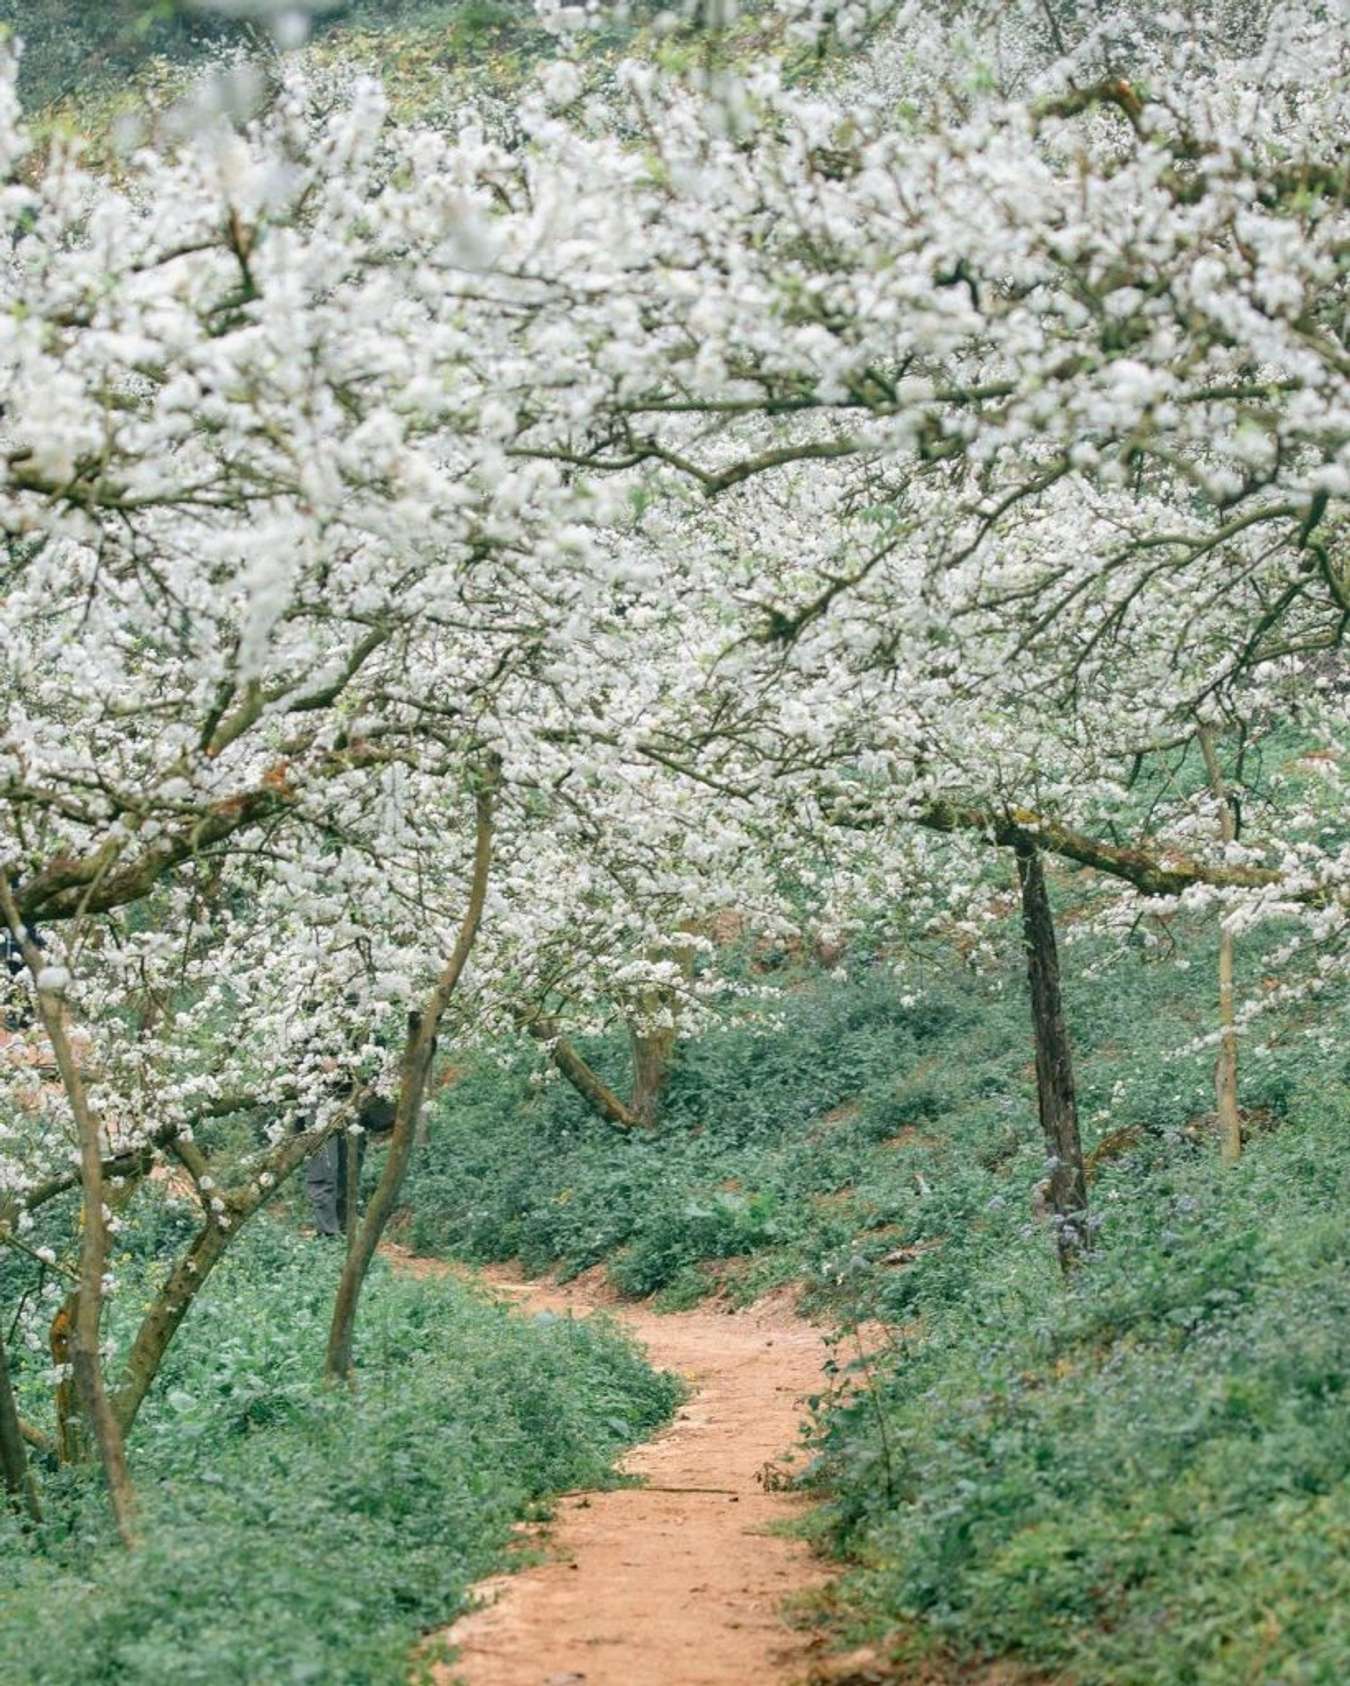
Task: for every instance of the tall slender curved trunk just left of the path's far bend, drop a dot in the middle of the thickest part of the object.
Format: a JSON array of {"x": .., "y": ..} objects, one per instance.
[{"x": 417, "y": 1063}]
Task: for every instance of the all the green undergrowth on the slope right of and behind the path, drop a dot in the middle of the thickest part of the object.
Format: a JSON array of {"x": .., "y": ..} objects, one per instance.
[{"x": 1140, "y": 1478}]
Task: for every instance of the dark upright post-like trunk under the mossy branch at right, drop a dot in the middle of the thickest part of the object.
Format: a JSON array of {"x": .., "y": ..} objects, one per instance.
[{"x": 1059, "y": 1109}]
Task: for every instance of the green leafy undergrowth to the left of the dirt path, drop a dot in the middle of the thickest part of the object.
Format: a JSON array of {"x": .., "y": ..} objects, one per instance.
[{"x": 292, "y": 1533}]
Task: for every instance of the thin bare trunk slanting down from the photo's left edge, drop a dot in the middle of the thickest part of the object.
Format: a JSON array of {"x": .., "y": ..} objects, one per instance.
[{"x": 94, "y": 1252}]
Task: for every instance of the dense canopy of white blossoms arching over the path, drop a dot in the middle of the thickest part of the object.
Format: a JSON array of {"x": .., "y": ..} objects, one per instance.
[{"x": 724, "y": 461}]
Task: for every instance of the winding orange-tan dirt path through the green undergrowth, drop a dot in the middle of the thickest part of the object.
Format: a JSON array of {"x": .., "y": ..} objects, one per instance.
[{"x": 680, "y": 1582}]
